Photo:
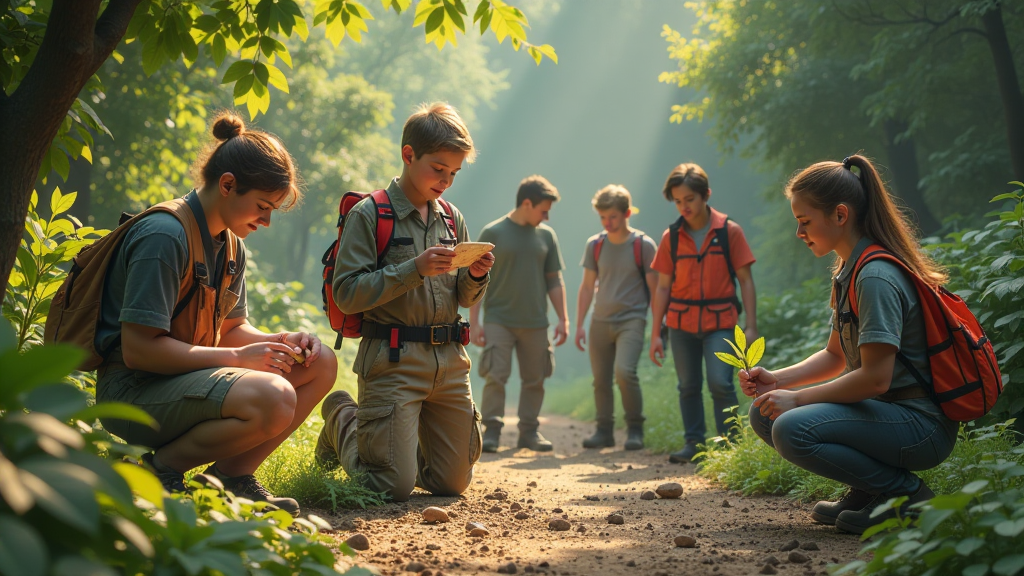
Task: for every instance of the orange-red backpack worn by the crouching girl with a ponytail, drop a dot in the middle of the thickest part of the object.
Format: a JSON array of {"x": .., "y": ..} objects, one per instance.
[{"x": 966, "y": 380}]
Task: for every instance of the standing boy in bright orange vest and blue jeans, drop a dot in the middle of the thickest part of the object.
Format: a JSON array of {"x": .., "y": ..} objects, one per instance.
[{"x": 701, "y": 259}]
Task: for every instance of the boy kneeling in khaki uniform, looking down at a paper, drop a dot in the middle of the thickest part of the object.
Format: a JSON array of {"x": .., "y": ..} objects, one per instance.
[{"x": 415, "y": 424}]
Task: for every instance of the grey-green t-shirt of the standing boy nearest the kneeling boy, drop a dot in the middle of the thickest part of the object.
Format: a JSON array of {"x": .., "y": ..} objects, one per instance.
[{"x": 518, "y": 296}]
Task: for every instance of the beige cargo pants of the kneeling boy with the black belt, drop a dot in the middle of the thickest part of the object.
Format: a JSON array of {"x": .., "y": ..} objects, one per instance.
[{"x": 416, "y": 425}]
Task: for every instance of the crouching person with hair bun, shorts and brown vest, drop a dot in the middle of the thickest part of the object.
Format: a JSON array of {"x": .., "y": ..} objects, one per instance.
[{"x": 174, "y": 333}]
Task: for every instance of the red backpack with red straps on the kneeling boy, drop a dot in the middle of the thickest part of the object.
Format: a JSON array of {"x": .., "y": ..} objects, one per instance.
[{"x": 350, "y": 325}]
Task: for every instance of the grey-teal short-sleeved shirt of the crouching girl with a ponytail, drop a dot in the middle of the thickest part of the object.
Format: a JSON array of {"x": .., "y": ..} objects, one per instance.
[{"x": 889, "y": 312}]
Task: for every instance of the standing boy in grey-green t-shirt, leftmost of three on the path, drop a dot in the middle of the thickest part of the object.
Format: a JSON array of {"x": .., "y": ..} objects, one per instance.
[{"x": 529, "y": 271}]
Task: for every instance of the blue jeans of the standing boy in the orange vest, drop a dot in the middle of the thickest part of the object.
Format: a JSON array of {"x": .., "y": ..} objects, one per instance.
[{"x": 688, "y": 351}]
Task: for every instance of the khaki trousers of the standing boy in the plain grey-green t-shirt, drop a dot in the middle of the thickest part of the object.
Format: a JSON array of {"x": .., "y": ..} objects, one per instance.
[{"x": 537, "y": 362}]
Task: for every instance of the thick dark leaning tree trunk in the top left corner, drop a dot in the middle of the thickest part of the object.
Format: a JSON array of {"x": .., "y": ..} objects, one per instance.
[{"x": 75, "y": 46}]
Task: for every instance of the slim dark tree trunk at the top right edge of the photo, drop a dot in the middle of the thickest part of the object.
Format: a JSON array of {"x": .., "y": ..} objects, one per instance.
[{"x": 1010, "y": 89}]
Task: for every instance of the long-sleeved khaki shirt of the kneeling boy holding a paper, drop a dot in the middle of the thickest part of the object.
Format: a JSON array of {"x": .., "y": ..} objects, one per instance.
[{"x": 397, "y": 294}]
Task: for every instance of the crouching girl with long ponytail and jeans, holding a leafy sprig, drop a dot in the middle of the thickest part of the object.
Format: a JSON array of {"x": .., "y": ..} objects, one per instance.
[{"x": 870, "y": 424}]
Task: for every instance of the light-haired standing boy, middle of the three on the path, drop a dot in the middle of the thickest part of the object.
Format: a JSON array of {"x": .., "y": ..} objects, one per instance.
[{"x": 617, "y": 267}]
